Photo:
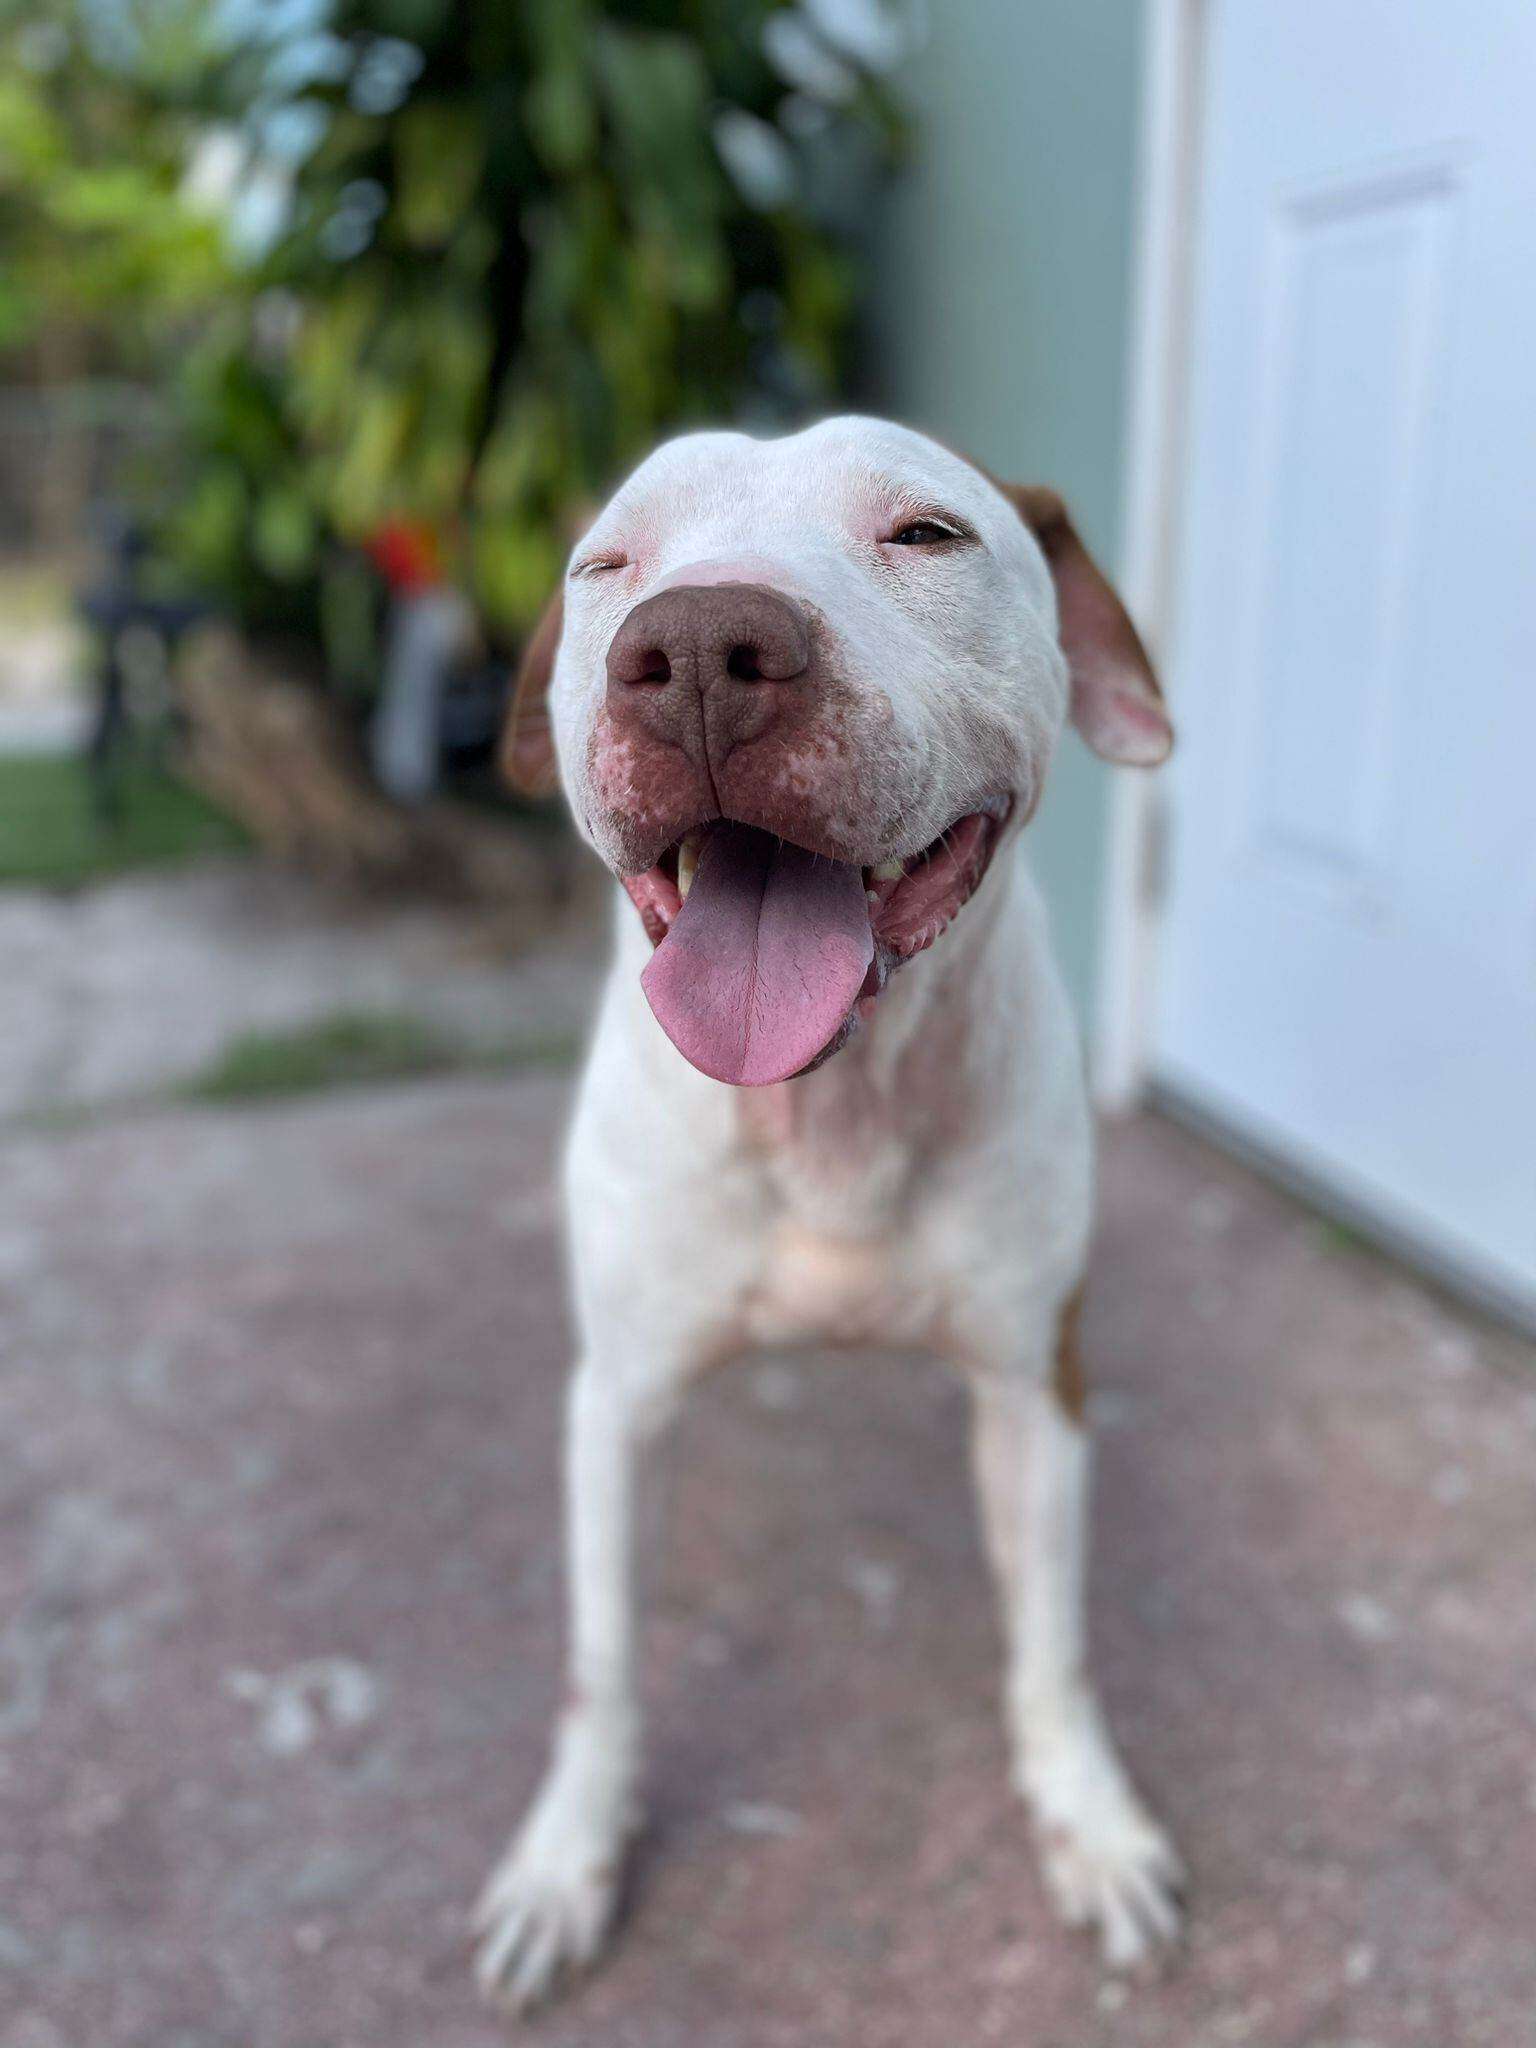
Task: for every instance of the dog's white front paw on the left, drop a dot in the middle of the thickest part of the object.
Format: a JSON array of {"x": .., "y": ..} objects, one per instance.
[{"x": 550, "y": 1904}]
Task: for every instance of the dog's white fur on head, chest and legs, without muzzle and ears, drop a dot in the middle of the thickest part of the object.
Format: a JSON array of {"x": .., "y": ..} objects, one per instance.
[{"x": 931, "y": 1185}]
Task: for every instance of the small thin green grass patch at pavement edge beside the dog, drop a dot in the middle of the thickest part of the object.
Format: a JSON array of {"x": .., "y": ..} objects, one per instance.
[{"x": 353, "y": 1050}]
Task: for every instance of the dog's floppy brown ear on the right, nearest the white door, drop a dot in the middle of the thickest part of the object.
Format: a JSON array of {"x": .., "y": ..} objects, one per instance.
[{"x": 1115, "y": 697}]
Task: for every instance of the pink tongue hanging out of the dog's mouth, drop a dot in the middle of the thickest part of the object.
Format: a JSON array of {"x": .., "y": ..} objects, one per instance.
[{"x": 763, "y": 962}]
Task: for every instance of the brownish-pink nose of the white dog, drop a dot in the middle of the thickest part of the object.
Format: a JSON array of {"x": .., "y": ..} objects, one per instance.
[{"x": 710, "y": 640}]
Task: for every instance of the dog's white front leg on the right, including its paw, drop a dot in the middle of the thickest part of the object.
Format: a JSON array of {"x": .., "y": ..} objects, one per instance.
[{"x": 1105, "y": 1861}]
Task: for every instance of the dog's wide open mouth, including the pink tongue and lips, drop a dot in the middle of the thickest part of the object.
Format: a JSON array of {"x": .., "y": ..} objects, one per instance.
[{"x": 769, "y": 955}]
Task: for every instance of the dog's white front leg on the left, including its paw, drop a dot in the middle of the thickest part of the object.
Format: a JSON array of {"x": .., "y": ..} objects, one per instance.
[{"x": 550, "y": 1904}]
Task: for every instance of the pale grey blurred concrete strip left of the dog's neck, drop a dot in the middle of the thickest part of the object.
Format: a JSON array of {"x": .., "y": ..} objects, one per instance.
[{"x": 134, "y": 986}]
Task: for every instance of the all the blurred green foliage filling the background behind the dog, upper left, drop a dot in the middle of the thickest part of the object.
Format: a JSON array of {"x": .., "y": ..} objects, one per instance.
[{"x": 478, "y": 257}]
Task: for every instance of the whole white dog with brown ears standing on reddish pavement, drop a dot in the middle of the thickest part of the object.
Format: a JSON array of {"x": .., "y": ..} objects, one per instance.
[{"x": 802, "y": 699}]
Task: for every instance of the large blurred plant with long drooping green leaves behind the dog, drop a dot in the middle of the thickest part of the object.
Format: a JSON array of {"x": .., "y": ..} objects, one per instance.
[{"x": 517, "y": 245}]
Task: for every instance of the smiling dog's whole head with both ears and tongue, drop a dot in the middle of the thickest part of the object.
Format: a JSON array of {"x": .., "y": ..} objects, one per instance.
[{"x": 798, "y": 693}]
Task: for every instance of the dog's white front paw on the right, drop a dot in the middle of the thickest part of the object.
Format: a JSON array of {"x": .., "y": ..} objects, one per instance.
[{"x": 1107, "y": 1865}]
